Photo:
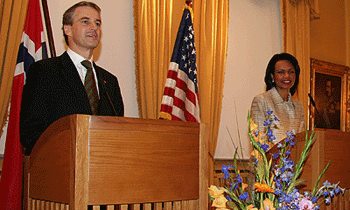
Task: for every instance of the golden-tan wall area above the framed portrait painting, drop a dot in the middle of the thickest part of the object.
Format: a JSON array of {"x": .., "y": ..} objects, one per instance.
[{"x": 329, "y": 33}]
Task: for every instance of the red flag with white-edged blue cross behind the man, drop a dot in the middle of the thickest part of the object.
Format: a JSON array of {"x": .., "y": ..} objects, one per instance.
[{"x": 31, "y": 49}]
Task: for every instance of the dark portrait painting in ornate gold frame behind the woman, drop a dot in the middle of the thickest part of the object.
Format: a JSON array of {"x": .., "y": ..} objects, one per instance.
[{"x": 329, "y": 96}]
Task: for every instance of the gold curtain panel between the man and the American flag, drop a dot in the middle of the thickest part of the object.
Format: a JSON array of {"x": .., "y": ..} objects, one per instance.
[{"x": 155, "y": 34}]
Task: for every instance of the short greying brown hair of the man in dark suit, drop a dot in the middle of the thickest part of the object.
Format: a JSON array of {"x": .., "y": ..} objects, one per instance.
[{"x": 68, "y": 15}]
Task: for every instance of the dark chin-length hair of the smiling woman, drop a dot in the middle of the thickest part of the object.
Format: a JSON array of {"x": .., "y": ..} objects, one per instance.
[{"x": 270, "y": 70}]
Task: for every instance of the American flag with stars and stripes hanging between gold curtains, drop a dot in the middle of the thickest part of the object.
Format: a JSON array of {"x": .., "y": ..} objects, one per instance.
[{"x": 180, "y": 98}]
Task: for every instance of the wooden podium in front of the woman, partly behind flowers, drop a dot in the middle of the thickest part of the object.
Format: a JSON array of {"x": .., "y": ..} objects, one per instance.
[{"x": 329, "y": 145}]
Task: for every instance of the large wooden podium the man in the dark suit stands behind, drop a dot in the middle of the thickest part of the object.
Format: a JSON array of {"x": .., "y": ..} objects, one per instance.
[{"x": 119, "y": 162}]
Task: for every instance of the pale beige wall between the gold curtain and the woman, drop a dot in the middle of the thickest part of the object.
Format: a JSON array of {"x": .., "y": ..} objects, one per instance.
[{"x": 254, "y": 37}]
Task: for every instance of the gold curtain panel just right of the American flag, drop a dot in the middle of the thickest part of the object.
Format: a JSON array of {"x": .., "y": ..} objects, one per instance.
[{"x": 211, "y": 24}]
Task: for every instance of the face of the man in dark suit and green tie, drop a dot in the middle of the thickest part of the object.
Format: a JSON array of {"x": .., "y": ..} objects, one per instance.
[{"x": 85, "y": 32}]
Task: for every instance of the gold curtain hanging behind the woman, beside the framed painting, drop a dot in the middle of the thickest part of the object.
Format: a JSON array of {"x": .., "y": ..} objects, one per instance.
[{"x": 296, "y": 16}]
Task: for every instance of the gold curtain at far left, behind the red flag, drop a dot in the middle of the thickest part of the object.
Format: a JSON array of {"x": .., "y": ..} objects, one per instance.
[{"x": 12, "y": 18}]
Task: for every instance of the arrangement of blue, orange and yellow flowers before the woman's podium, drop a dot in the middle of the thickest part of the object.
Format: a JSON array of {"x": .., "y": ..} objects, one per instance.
[{"x": 276, "y": 177}]
